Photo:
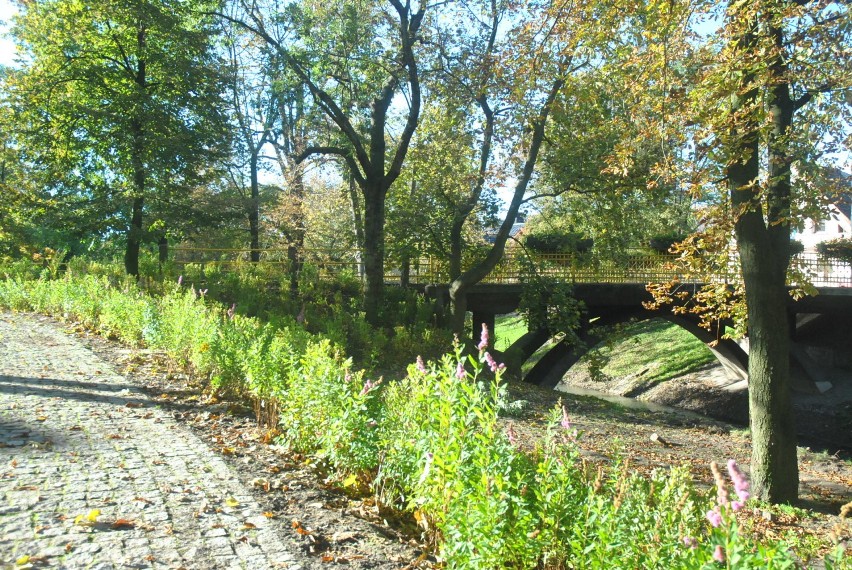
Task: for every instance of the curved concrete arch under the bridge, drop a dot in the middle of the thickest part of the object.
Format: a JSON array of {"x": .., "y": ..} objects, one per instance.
[{"x": 550, "y": 369}]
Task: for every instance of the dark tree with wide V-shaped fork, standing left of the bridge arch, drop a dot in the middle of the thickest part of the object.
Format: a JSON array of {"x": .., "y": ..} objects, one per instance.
[{"x": 355, "y": 66}]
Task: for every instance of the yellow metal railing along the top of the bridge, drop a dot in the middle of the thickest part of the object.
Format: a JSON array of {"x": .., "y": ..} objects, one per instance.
[{"x": 631, "y": 267}]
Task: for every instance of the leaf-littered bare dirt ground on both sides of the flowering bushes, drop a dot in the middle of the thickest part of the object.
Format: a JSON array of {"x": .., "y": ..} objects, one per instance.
[{"x": 331, "y": 527}]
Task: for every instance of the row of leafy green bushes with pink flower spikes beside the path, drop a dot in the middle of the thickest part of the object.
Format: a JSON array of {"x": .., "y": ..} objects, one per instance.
[{"x": 432, "y": 443}]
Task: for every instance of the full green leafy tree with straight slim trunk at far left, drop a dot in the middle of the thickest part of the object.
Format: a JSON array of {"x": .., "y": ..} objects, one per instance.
[{"x": 118, "y": 106}]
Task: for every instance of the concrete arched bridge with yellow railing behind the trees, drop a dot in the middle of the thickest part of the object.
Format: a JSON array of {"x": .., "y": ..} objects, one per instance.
[{"x": 613, "y": 291}]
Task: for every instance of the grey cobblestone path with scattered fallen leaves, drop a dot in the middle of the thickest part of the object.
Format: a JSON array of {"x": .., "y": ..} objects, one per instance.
[{"x": 76, "y": 438}]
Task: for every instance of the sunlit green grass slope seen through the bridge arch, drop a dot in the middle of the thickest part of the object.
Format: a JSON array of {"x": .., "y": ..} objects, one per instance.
[{"x": 656, "y": 350}]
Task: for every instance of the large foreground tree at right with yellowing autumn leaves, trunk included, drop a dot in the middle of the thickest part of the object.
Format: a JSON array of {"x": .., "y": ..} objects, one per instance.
[{"x": 735, "y": 115}]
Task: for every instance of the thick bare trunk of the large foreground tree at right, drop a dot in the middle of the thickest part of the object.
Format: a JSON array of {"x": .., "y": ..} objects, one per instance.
[{"x": 763, "y": 245}]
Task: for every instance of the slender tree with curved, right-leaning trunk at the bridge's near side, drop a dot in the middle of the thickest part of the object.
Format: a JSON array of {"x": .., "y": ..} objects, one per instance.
[{"x": 511, "y": 66}]
